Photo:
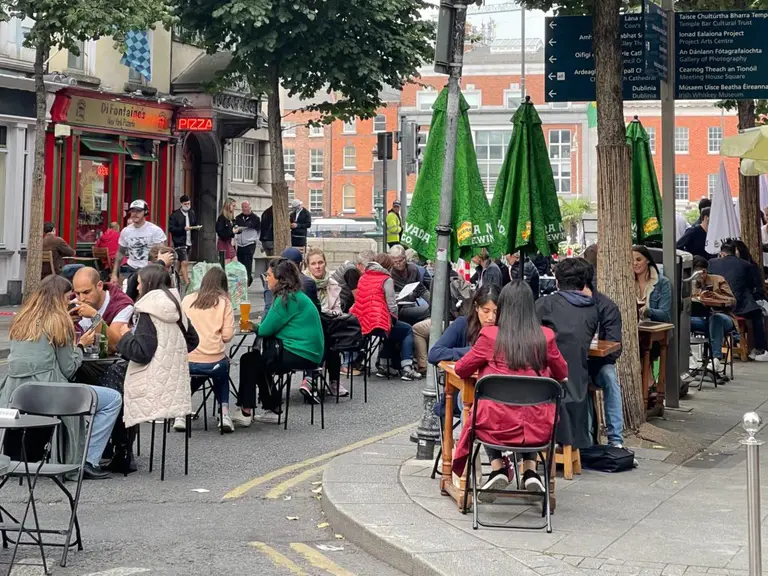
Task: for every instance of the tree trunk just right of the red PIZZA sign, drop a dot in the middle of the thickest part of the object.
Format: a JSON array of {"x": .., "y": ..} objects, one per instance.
[{"x": 279, "y": 186}]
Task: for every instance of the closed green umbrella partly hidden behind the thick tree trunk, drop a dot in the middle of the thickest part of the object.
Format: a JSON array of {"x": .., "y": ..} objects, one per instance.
[{"x": 645, "y": 198}]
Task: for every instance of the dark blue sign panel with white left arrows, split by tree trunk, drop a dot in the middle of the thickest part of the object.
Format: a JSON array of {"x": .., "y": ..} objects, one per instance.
[{"x": 570, "y": 63}]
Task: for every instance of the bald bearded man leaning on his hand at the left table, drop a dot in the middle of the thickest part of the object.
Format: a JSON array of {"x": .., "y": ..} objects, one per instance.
[{"x": 99, "y": 301}]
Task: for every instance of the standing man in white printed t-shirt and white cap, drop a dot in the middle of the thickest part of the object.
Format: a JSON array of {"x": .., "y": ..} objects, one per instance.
[{"x": 136, "y": 239}]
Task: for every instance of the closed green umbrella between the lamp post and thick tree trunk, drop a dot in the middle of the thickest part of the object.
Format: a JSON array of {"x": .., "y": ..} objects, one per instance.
[{"x": 525, "y": 199}]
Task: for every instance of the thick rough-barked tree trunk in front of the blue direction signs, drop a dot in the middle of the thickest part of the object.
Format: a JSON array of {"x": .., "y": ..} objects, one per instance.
[{"x": 615, "y": 276}]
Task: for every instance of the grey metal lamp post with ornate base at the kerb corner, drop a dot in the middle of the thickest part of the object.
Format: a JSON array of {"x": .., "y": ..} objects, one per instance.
[{"x": 429, "y": 428}]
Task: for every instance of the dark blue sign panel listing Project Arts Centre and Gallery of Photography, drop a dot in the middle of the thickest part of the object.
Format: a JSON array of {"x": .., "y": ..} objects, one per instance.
[{"x": 721, "y": 55}]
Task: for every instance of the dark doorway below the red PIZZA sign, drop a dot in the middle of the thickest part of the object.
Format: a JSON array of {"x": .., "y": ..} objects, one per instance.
[{"x": 200, "y": 173}]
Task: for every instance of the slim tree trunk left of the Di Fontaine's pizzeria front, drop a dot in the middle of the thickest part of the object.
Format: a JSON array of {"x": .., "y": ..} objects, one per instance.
[{"x": 37, "y": 204}]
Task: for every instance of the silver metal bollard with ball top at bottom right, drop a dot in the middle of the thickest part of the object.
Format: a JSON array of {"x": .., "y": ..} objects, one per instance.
[{"x": 751, "y": 423}]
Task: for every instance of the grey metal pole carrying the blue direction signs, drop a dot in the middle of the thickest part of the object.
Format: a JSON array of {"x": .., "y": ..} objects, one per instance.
[{"x": 672, "y": 398}]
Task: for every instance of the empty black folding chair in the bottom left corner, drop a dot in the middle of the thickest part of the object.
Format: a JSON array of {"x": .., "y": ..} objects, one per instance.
[{"x": 57, "y": 399}]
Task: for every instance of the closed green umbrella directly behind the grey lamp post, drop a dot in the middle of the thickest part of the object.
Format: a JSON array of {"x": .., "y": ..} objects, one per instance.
[{"x": 471, "y": 220}]
